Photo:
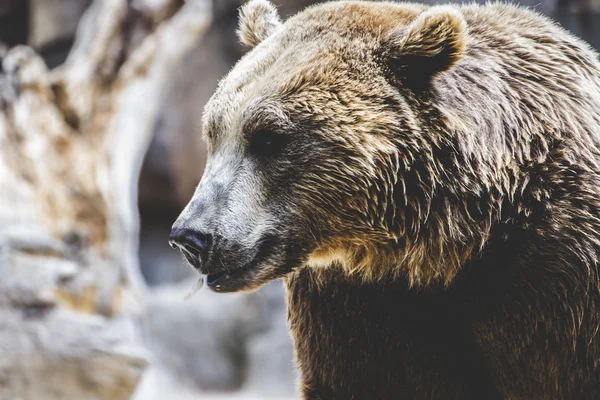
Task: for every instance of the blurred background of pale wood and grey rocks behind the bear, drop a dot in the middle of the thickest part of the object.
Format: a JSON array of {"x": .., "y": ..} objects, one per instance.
[{"x": 212, "y": 346}]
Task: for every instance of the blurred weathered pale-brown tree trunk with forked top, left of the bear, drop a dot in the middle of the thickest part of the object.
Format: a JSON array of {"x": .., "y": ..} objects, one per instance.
[{"x": 72, "y": 141}]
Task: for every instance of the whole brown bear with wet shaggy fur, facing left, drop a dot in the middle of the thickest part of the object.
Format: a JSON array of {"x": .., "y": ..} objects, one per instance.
[{"x": 427, "y": 181}]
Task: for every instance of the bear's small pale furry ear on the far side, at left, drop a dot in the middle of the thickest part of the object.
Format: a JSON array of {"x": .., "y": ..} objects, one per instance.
[{"x": 258, "y": 20}]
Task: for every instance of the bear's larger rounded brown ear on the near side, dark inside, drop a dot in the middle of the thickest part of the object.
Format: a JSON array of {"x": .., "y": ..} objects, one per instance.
[{"x": 431, "y": 44}]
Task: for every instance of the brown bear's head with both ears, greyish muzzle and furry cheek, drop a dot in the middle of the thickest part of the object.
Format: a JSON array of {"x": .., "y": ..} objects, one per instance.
[{"x": 319, "y": 155}]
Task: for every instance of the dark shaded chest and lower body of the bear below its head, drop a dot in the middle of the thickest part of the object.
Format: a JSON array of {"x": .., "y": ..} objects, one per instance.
[{"x": 491, "y": 335}]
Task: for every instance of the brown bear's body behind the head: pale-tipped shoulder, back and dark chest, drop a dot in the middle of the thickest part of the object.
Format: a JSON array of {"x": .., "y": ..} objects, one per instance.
[{"x": 520, "y": 320}]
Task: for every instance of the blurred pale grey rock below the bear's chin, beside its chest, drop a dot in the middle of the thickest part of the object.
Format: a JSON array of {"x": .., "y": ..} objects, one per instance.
[{"x": 215, "y": 343}]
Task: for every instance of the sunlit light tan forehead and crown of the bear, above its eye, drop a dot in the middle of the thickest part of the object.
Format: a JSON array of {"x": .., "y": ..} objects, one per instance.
[{"x": 315, "y": 49}]
